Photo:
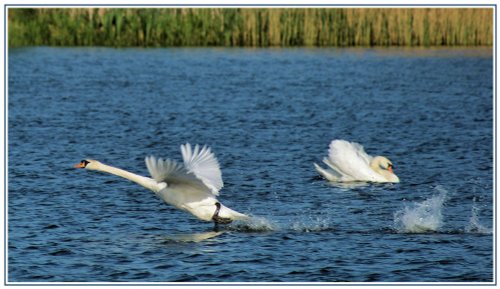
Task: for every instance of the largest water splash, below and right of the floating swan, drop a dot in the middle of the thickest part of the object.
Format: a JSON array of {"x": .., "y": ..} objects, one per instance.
[{"x": 422, "y": 217}]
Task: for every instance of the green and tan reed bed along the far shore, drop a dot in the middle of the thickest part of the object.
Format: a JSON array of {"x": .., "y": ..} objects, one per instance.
[{"x": 250, "y": 27}]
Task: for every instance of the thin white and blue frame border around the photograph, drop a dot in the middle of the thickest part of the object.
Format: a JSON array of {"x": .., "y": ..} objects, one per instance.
[{"x": 254, "y": 4}]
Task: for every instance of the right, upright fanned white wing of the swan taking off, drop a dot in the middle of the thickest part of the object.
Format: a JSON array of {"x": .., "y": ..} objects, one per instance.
[{"x": 204, "y": 165}]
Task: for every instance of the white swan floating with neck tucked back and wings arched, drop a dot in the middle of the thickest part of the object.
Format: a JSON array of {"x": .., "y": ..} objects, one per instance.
[{"x": 348, "y": 162}]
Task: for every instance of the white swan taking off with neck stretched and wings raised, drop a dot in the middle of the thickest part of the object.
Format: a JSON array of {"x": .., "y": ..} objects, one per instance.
[{"x": 192, "y": 186}]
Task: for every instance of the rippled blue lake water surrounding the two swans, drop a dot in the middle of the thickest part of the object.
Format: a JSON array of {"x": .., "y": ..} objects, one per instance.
[{"x": 268, "y": 115}]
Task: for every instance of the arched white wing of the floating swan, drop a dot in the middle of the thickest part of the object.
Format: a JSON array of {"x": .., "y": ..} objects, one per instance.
[{"x": 351, "y": 161}]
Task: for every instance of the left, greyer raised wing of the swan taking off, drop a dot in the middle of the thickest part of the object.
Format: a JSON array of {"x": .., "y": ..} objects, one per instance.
[{"x": 170, "y": 172}]
